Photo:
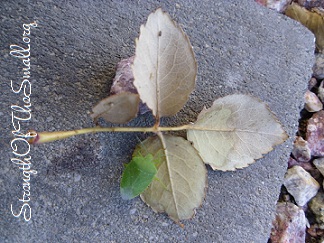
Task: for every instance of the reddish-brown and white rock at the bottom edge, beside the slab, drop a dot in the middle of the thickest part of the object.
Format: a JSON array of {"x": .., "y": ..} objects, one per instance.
[{"x": 289, "y": 224}]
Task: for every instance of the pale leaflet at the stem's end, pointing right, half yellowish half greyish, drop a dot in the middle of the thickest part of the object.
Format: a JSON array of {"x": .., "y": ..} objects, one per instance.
[{"x": 235, "y": 131}]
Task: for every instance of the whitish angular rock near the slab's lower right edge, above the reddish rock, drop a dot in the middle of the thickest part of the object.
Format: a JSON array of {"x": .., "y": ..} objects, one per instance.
[{"x": 300, "y": 184}]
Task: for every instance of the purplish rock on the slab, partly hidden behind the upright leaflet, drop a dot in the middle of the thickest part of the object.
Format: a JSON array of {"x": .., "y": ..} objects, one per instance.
[{"x": 124, "y": 79}]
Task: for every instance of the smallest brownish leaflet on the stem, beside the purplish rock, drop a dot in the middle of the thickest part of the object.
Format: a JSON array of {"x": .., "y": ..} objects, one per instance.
[{"x": 118, "y": 108}]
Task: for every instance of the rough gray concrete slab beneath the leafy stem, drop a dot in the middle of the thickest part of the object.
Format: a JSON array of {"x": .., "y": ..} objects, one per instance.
[{"x": 240, "y": 47}]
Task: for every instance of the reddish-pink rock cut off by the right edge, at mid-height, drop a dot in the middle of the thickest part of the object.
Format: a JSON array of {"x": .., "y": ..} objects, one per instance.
[{"x": 315, "y": 134}]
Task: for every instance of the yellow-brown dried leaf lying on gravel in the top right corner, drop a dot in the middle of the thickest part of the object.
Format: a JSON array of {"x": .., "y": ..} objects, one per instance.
[{"x": 313, "y": 20}]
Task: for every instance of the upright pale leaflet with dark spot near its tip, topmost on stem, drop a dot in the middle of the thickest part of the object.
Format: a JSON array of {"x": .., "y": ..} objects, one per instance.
[{"x": 164, "y": 66}]
